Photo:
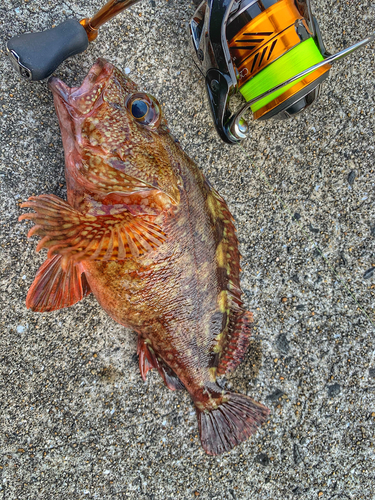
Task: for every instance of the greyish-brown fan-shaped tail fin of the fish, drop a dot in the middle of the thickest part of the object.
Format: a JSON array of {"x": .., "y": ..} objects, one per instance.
[{"x": 235, "y": 419}]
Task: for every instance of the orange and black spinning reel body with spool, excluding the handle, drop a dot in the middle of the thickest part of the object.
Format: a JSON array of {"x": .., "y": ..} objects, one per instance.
[{"x": 271, "y": 51}]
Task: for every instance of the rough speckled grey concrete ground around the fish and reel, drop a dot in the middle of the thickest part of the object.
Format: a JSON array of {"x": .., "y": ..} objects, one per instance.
[{"x": 76, "y": 419}]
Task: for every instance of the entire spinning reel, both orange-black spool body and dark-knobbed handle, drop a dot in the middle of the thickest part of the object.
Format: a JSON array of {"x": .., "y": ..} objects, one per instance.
[{"x": 271, "y": 51}]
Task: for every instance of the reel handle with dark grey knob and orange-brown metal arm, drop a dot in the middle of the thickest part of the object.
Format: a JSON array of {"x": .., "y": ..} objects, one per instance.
[{"x": 35, "y": 56}]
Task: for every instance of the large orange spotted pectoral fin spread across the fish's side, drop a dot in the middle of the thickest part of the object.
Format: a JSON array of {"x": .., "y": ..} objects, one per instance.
[{"x": 103, "y": 236}]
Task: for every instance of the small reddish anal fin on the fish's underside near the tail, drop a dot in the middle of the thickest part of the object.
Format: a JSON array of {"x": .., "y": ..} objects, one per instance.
[{"x": 148, "y": 359}]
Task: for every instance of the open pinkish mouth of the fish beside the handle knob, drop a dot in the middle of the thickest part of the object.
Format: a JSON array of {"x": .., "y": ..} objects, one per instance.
[{"x": 99, "y": 72}]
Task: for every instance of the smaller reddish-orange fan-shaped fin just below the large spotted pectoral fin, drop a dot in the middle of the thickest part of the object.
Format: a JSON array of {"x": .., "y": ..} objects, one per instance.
[{"x": 55, "y": 288}]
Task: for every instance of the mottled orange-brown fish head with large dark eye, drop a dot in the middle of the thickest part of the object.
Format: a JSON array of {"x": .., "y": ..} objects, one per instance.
[{"x": 111, "y": 131}]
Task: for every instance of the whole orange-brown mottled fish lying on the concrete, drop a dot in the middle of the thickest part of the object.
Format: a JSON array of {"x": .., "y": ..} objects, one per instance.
[{"x": 144, "y": 231}]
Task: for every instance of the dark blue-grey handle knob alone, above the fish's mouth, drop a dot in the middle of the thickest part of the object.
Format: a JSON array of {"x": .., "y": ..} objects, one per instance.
[{"x": 37, "y": 55}]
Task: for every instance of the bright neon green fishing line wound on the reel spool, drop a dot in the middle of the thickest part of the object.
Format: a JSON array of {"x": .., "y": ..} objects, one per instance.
[{"x": 298, "y": 59}]
